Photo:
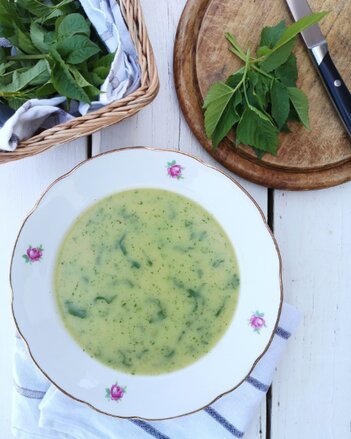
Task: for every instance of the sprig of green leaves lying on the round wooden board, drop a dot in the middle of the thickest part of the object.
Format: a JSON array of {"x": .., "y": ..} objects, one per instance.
[{"x": 261, "y": 97}]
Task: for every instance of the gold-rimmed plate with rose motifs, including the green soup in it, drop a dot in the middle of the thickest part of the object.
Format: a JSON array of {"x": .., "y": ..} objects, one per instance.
[{"x": 71, "y": 338}]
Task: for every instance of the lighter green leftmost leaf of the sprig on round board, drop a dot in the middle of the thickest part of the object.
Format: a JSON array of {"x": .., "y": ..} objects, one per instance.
[{"x": 216, "y": 101}]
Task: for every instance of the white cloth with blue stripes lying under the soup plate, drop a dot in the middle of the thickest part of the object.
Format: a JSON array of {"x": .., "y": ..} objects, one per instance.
[{"x": 42, "y": 411}]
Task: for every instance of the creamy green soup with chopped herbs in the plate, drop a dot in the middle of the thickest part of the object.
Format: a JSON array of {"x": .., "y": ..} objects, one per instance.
[{"x": 146, "y": 281}]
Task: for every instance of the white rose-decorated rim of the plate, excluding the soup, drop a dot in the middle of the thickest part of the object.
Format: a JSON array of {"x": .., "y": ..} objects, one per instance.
[{"x": 61, "y": 358}]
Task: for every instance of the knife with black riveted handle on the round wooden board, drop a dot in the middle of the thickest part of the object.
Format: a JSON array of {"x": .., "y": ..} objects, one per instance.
[{"x": 318, "y": 49}]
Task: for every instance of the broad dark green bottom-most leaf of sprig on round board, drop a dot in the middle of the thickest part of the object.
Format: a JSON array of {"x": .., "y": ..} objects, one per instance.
[{"x": 256, "y": 130}]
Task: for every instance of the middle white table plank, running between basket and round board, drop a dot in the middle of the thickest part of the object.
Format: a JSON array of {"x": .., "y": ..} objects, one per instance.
[{"x": 162, "y": 124}]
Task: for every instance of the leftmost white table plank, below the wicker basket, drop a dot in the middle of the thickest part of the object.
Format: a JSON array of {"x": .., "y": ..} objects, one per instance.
[{"x": 22, "y": 183}]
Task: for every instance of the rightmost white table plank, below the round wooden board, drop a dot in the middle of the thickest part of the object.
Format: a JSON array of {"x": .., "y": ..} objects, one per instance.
[{"x": 311, "y": 392}]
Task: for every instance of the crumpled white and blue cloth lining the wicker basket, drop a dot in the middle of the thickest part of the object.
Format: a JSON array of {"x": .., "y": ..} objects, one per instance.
[{"x": 123, "y": 79}]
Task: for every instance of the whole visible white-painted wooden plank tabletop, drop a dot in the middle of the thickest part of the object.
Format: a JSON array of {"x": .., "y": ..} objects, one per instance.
[{"x": 311, "y": 393}]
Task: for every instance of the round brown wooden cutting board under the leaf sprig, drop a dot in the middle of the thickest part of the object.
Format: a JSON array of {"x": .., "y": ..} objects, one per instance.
[{"x": 306, "y": 160}]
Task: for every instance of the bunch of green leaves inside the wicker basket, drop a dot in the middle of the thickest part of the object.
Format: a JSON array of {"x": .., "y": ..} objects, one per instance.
[{"x": 55, "y": 52}]
